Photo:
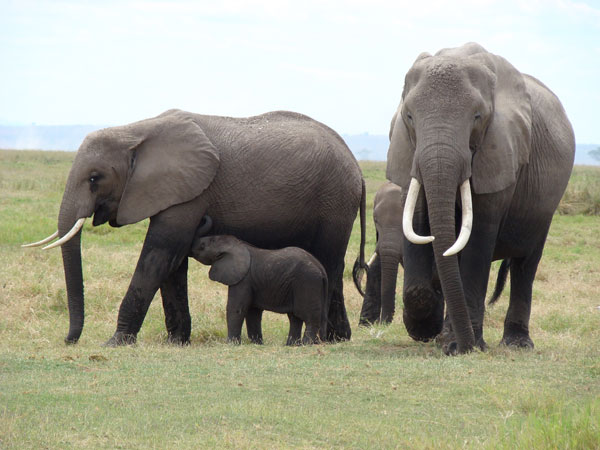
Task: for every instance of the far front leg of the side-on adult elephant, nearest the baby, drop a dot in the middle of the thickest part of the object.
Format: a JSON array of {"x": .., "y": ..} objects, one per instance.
[{"x": 175, "y": 303}]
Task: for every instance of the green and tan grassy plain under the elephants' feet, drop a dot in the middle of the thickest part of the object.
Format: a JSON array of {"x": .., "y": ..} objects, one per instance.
[{"x": 380, "y": 390}]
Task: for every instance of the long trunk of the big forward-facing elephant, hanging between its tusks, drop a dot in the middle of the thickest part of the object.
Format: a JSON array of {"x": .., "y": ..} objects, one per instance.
[{"x": 443, "y": 167}]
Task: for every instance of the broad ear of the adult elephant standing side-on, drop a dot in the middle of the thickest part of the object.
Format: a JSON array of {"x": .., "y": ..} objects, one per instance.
[{"x": 173, "y": 163}]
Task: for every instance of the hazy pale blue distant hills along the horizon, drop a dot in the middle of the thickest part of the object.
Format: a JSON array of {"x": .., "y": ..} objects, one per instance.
[{"x": 68, "y": 137}]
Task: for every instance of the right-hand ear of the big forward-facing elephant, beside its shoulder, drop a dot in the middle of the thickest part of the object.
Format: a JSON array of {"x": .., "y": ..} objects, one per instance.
[{"x": 507, "y": 141}]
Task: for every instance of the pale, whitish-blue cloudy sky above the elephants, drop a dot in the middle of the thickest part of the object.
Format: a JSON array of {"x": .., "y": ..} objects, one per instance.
[{"x": 341, "y": 62}]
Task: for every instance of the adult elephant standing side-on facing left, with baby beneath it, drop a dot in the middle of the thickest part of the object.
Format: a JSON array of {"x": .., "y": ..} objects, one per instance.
[{"x": 275, "y": 180}]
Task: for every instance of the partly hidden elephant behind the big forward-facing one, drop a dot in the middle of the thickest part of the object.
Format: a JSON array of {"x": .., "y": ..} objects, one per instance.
[{"x": 379, "y": 299}]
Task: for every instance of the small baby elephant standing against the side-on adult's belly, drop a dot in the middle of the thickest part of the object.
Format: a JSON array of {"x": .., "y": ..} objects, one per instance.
[{"x": 289, "y": 281}]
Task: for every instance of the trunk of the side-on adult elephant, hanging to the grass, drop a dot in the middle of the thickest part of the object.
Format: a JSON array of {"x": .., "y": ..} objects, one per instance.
[{"x": 71, "y": 254}]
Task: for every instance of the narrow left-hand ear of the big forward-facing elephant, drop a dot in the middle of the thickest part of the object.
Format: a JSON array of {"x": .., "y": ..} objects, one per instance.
[{"x": 400, "y": 153}]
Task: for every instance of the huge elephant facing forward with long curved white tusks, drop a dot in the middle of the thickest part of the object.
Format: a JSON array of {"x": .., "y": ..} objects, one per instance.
[{"x": 470, "y": 122}]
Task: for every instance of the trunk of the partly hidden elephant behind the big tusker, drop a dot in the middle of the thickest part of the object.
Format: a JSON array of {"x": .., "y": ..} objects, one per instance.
[{"x": 389, "y": 249}]
